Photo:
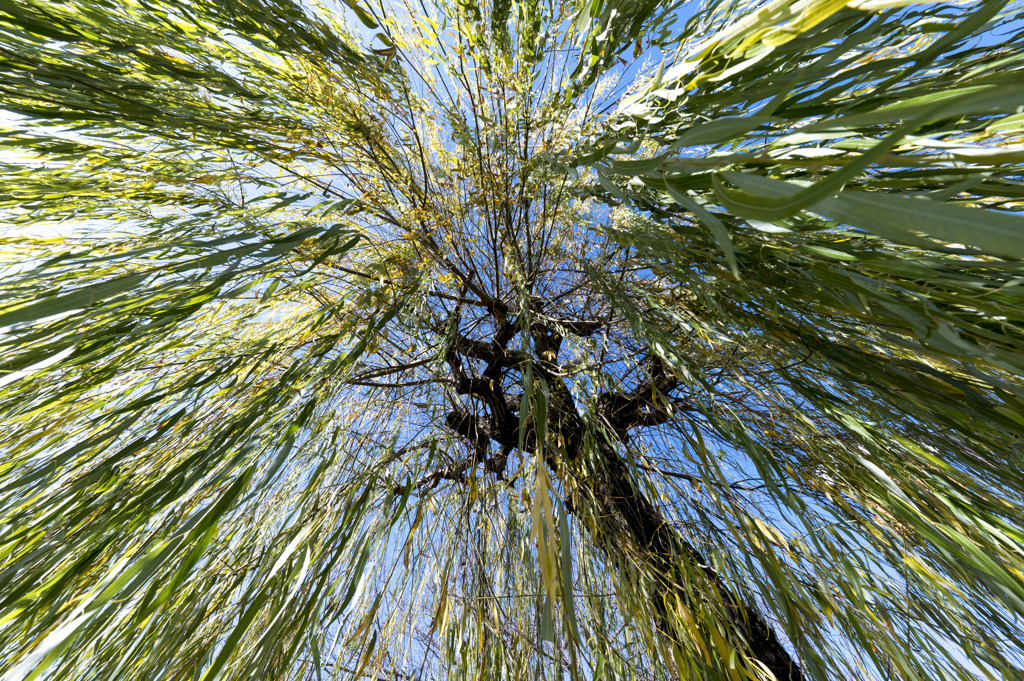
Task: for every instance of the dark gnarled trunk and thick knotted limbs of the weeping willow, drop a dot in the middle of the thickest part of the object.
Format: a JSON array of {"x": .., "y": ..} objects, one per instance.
[{"x": 623, "y": 516}]
